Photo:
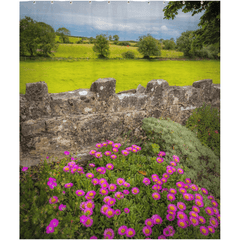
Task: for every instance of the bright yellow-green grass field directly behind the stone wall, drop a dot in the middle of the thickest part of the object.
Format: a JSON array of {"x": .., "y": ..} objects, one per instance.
[{"x": 63, "y": 76}]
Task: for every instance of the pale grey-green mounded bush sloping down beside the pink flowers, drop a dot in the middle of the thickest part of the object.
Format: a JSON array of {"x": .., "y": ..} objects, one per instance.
[{"x": 199, "y": 162}]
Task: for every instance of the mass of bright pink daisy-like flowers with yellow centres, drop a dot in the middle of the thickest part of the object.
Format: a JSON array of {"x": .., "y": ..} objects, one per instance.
[{"x": 175, "y": 209}]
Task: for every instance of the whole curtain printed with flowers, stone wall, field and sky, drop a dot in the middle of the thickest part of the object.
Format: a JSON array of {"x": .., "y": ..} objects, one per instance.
[{"x": 119, "y": 119}]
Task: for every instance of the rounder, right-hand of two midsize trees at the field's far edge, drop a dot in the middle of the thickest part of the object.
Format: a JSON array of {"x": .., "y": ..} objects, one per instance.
[{"x": 149, "y": 46}]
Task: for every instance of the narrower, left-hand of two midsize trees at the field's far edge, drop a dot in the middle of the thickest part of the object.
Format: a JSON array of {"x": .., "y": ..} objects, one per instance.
[{"x": 101, "y": 46}]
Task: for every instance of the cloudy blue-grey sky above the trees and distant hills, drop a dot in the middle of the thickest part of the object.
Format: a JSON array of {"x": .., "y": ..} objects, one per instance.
[{"x": 128, "y": 21}]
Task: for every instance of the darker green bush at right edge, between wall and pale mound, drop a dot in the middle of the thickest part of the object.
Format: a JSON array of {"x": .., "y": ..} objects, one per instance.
[{"x": 205, "y": 123}]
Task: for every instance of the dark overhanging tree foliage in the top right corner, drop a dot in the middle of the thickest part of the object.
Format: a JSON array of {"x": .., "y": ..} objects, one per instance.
[{"x": 209, "y": 32}]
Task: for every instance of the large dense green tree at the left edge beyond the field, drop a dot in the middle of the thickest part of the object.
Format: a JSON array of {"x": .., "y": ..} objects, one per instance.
[{"x": 34, "y": 35}]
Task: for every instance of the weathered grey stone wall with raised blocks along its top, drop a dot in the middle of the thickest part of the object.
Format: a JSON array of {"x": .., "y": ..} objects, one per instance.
[{"x": 74, "y": 121}]
